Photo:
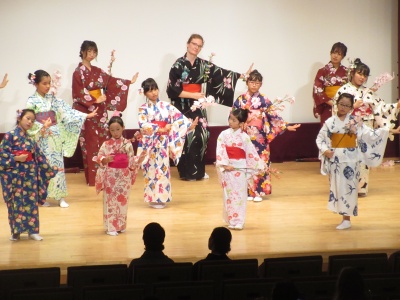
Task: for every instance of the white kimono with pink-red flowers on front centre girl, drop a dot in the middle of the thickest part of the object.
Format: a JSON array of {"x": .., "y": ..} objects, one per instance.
[{"x": 235, "y": 183}]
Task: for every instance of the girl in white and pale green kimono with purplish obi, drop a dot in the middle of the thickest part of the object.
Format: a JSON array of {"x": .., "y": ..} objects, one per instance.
[{"x": 61, "y": 137}]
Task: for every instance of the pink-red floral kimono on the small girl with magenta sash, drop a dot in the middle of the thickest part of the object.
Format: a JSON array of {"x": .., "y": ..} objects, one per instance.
[{"x": 116, "y": 183}]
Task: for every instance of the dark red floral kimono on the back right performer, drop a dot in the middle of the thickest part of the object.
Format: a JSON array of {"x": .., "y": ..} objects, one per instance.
[{"x": 327, "y": 76}]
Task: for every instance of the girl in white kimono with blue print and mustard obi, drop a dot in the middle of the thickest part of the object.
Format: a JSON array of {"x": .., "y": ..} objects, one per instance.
[{"x": 341, "y": 157}]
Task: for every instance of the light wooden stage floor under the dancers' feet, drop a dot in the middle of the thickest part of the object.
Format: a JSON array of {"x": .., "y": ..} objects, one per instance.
[{"x": 293, "y": 221}]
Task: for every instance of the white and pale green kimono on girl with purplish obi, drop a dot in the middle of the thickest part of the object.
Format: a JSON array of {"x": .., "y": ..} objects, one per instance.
[{"x": 61, "y": 138}]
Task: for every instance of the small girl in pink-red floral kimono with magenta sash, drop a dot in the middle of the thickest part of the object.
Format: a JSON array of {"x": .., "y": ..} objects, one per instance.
[{"x": 115, "y": 176}]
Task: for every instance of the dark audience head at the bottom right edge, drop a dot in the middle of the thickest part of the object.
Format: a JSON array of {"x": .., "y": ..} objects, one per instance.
[{"x": 350, "y": 285}]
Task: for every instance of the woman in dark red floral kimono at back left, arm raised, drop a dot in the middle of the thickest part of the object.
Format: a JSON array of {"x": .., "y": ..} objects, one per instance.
[{"x": 94, "y": 88}]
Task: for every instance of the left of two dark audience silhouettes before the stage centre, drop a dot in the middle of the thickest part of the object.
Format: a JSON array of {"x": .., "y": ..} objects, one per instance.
[{"x": 153, "y": 238}]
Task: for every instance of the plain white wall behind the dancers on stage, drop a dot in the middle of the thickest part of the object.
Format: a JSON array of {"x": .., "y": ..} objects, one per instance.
[{"x": 288, "y": 40}]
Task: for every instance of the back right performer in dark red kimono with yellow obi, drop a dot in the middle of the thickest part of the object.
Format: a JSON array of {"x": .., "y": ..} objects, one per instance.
[{"x": 327, "y": 82}]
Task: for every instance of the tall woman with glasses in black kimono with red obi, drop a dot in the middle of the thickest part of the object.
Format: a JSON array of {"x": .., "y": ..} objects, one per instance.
[{"x": 184, "y": 87}]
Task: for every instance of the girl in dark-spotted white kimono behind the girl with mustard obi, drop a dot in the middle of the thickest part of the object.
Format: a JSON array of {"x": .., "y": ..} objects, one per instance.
[{"x": 368, "y": 106}]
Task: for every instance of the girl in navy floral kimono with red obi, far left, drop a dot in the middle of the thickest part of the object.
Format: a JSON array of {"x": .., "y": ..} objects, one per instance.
[{"x": 25, "y": 176}]
